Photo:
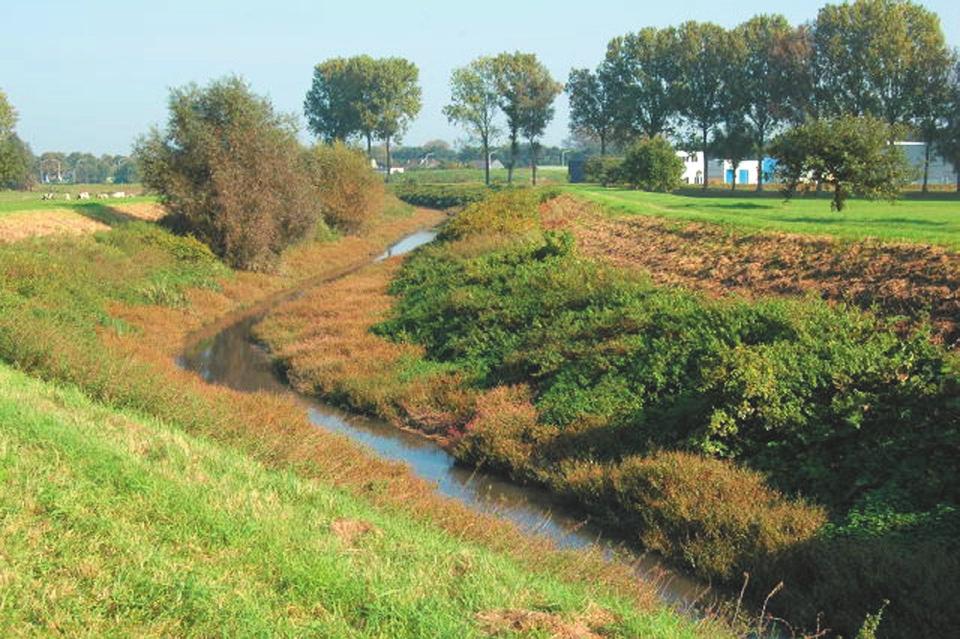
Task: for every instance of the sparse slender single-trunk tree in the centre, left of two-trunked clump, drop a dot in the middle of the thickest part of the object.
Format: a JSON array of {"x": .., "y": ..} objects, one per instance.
[{"x": 474, "y": 103}]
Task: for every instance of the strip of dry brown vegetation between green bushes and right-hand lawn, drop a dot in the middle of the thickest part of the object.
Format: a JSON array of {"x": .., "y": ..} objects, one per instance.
[{"x": 897, "y": 279}]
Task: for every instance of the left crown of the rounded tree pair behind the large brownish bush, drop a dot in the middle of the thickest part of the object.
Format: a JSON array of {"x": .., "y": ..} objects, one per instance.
[{"x": 331, "y": 105}]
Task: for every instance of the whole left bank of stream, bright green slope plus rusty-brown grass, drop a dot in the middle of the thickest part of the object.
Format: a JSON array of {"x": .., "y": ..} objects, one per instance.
[{"x": 139, "y": 499}]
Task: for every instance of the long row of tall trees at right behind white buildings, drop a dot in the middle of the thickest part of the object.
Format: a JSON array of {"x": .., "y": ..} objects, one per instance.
[{"x": 729, "y": 91}]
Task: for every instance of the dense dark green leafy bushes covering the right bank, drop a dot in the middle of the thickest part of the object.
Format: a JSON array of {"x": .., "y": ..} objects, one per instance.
[{"x": 830, "y": 401}]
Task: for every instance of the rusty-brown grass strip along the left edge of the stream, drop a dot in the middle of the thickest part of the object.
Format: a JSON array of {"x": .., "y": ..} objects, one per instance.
[{"x": 275, "y": 430}]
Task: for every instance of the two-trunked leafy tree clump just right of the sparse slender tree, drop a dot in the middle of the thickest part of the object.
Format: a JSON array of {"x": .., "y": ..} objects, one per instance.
[{"x": 526, "y": 93}]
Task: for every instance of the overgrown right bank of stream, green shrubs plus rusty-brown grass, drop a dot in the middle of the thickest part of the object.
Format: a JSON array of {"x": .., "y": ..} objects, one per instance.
[{"x": 689, "y": 422}]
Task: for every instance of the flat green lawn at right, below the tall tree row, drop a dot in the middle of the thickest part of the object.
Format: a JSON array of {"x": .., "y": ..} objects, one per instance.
[{"x": 934, "y": 220}]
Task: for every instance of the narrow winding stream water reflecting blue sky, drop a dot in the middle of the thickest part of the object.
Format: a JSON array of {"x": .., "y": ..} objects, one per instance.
[{"x": 232, "y": 358}]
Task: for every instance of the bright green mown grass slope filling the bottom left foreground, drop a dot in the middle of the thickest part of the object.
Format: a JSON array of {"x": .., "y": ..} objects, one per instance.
[{"x": 117, "y": 524}]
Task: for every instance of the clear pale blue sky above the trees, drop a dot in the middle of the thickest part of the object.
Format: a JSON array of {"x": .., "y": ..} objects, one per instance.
[{"x": 92, "y": 75}]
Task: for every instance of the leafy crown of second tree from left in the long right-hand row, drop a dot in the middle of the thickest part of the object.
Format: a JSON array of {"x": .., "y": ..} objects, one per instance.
[{"x": 643, "y": 71}]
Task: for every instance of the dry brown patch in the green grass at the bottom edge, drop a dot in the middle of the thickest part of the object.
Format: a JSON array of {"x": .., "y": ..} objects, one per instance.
[{"x": 588, "y": 625}]
